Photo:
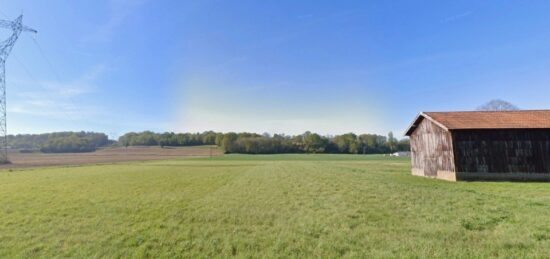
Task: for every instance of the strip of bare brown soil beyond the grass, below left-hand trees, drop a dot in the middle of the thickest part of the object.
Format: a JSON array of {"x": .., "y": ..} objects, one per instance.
[{"x": 107, "y": 155}]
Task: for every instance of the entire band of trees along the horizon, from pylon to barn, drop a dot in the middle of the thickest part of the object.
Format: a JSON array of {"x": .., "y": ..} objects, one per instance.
[{"x": 246, "y": 143}]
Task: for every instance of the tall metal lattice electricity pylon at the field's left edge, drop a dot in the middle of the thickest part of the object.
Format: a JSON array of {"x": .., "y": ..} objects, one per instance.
[{"x": 5, "y": 48}]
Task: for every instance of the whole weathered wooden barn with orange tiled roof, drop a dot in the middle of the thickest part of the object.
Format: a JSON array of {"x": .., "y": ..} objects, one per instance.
[{"x": 500, "y": 145}]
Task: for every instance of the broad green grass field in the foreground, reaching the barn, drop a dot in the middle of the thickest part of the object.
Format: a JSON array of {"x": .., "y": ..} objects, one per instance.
[{"x": 266, "y": 206}]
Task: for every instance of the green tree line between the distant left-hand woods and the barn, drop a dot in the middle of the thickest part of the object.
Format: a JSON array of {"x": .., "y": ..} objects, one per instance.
[{"x": 252, "y": 143}]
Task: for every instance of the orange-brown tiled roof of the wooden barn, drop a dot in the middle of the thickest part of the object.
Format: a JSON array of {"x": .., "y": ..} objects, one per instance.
[{"x": 533, "y": 119}]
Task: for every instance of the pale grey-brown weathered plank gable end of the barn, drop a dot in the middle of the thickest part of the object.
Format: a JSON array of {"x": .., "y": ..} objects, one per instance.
[{"x": 431, "y": 151}]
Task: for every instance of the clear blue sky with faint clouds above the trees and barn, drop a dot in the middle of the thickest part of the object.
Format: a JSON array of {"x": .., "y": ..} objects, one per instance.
[{"x": 270, "y": 66}]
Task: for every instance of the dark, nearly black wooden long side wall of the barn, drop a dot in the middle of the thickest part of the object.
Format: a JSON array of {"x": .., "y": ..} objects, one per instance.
[{"x": 504, "y": 152}]
